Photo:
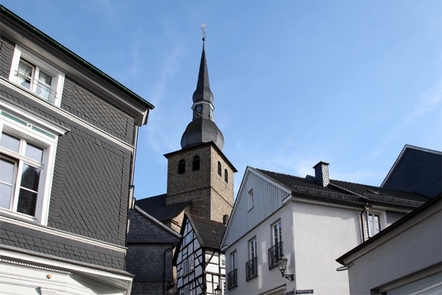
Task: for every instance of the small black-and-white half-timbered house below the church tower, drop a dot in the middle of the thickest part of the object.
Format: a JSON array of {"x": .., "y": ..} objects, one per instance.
[{"x": 201, "y": 266}]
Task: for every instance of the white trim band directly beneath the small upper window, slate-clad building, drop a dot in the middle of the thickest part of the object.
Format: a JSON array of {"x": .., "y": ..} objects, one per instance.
[{"x": 69, "y": 116}]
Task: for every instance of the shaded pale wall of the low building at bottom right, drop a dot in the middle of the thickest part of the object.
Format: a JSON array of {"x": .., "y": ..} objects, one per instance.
[{"x": 413, "y": 250}]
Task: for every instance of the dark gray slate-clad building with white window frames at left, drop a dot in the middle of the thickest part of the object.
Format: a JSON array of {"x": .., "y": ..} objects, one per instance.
[{"x": 68, "y": 136}]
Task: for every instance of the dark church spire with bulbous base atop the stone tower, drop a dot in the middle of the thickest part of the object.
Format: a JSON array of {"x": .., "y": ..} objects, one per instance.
[{"x": 202, "y": 128}]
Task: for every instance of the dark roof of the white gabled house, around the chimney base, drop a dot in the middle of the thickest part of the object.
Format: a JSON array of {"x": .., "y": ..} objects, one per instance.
[{"x": 346, "y": 192}]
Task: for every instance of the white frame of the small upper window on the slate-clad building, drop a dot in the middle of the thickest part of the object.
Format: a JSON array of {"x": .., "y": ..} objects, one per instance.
[{"x": 57, "y": 76}]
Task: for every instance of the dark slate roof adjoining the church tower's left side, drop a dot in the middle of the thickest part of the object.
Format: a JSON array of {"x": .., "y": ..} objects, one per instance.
[{"x": 156, "y": 207}]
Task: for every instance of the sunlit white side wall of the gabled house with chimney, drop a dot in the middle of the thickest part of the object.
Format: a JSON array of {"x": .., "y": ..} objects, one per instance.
[{"x": 321, "y": 234}]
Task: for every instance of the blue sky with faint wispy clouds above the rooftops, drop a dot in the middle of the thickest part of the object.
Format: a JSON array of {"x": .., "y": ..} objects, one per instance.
[{"x": 295, "y": 82}]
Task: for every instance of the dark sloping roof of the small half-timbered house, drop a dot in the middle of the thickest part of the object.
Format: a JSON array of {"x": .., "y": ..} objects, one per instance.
[{"x": 209, "y": 232}]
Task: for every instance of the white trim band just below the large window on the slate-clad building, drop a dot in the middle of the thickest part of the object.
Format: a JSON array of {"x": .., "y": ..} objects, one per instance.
[{"x": 62, "y": 234}]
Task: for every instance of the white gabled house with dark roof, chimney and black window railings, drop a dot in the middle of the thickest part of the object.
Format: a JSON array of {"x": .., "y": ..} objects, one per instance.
[{"x": 306, "y": 221}]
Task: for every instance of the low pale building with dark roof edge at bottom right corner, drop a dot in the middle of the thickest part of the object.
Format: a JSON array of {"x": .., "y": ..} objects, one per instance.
[{"x": 406, "y": 258}]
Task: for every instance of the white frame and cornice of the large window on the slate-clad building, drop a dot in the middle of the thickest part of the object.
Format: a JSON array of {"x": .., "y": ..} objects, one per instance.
[{"x": 20, "y": 124}]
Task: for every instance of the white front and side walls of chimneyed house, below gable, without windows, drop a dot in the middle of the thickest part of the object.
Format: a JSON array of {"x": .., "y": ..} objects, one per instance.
[{"x": 314, "y": 236}]
